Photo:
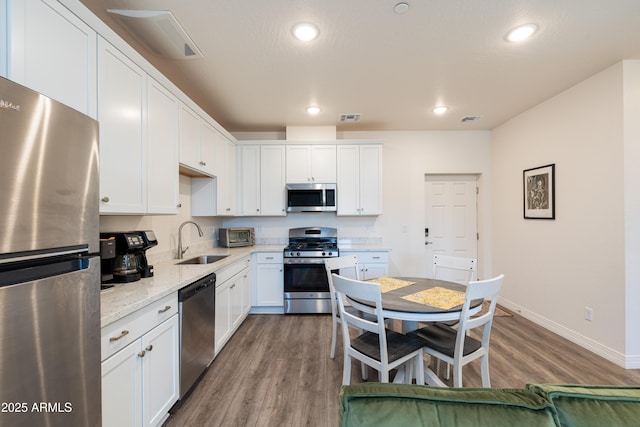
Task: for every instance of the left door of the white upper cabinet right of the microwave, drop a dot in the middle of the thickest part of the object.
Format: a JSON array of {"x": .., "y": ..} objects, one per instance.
[{"x": 348, "y": 180}]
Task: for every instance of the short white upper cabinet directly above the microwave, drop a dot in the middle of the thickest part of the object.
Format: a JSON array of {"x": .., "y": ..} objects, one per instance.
[{"x": 311, "y": 164}]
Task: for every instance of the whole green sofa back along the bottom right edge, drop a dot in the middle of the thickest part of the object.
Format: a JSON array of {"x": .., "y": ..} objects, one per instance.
[{"x": 539, "y": 405}]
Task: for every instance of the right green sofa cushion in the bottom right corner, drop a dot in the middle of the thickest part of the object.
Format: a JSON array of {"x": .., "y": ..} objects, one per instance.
[{"x": 592, "y": 405}]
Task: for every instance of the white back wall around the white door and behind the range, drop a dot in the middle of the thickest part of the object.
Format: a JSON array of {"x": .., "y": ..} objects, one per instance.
[{"x": 407, "y": 157}]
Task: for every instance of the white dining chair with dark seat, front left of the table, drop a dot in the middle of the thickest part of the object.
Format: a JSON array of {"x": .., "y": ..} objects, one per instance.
[{"x": 376, "y": 346}]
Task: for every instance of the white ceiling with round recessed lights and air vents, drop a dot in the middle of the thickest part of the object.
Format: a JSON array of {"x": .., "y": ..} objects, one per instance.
[{"x": 390, "y": 68}]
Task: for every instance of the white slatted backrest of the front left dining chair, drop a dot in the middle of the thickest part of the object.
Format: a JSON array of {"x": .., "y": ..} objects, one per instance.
[{"x": 364, "y": 291}]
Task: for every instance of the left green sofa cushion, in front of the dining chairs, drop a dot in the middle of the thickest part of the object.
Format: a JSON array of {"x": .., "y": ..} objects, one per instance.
[{"x": 377, "y": 404}]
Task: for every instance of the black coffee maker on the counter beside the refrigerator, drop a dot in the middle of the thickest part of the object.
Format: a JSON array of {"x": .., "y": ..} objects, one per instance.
[{"x": 128, "y": 262}]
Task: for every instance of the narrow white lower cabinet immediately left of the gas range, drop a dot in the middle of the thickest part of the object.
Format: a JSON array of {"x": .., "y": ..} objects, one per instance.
[{"x": 268, "y": 286}]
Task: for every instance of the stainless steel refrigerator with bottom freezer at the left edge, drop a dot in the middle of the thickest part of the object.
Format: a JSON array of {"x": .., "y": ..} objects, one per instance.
[{"x": 49, "y": 270}]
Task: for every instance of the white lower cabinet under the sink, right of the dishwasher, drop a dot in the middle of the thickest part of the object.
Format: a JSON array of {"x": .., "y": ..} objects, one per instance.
[{"x": 233, "y": 300}]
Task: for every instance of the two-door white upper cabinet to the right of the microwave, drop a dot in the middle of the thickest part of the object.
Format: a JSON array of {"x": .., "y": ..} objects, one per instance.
[{"x": 359, "y": 179}]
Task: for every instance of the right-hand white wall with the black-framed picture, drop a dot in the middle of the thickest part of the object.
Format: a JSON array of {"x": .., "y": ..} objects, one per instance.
[{"x": 554, "y": 269}]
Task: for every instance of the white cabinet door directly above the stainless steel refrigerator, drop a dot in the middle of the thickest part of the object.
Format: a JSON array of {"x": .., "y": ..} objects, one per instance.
[{"x": 53, "y": 52}]
